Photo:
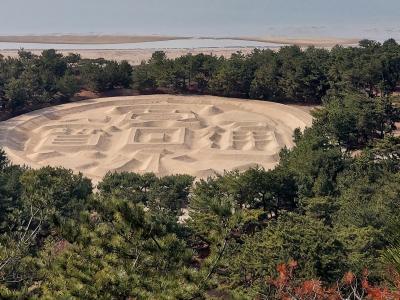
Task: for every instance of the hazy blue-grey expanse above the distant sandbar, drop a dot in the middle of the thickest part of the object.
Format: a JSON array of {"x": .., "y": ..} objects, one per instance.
[{"x": 197, "y": 17}]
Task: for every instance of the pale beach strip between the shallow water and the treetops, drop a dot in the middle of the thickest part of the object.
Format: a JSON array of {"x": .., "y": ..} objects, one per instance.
[{"x": 136, "y": 56}]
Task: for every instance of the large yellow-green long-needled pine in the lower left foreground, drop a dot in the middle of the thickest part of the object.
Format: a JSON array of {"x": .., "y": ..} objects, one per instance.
[{"x": 122, "y": 251}]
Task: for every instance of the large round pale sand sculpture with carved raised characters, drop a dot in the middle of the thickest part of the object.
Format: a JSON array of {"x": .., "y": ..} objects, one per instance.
[{"x": 164, "y": 134}]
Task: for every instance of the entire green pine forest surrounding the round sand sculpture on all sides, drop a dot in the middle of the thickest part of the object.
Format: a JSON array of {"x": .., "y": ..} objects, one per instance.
[{"x": 324, "y": 224}]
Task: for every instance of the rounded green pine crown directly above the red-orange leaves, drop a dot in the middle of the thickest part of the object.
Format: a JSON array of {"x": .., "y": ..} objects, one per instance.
[{"x": 320, "y": 253}]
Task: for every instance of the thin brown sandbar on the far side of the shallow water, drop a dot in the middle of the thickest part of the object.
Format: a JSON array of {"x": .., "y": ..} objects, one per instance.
[{"x": 128, "y": 39}]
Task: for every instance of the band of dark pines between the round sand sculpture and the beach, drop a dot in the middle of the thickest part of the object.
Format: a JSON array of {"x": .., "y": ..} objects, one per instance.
[{"x": 291, "y": 74}]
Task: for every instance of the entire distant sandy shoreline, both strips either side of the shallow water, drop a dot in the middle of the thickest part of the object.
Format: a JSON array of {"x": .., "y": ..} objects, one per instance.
[{"x": 136, "y": 55}]
